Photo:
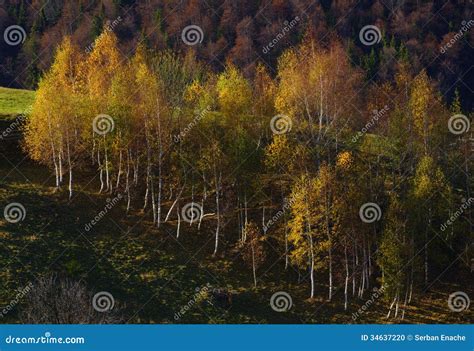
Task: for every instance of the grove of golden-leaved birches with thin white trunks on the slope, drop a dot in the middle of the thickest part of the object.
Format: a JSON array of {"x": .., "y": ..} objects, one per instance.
[{"x": 277, "y": 164}]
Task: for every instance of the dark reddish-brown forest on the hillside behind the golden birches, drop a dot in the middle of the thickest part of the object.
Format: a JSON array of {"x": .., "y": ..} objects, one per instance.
[{"x": 240, "y": 32}]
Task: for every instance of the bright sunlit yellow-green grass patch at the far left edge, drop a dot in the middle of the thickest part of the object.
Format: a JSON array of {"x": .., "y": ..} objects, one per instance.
[{"x": 14, "y": 101}]
